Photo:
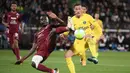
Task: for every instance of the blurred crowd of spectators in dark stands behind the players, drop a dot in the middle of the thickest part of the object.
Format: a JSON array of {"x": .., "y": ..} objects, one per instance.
[{"x": 115, "y": 14}]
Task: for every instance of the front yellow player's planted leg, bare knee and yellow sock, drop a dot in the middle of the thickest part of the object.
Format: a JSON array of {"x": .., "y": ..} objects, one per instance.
[{"x": 69, "y": 61}]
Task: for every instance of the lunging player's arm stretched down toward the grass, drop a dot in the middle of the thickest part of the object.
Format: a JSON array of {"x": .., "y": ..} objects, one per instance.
[{"x": 32, "y": 50}]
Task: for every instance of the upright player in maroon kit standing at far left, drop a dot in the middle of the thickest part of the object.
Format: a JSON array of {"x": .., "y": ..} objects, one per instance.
[{"x": 12, "y": 20}]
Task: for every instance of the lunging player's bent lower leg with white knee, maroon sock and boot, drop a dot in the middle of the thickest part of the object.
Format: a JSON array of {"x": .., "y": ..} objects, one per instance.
[{"x": 36, "y": 63}]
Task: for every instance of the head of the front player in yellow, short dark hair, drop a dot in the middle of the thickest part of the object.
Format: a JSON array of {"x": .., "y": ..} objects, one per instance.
[{"x": 78, "y": 9}]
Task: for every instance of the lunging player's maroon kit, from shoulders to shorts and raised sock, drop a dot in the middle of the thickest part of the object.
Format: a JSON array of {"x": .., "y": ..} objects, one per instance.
[{"x": 46, "y": 39}]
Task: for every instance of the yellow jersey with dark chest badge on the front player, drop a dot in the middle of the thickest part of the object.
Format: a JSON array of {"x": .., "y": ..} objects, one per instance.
[{"x": 84, "y": 22}]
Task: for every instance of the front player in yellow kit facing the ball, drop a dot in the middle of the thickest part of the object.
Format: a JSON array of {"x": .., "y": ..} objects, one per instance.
[{"x": 81, "y": 21}]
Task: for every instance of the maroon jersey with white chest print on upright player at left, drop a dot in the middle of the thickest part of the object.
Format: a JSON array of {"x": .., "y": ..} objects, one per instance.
[{"x": 13, "y": 19}]
